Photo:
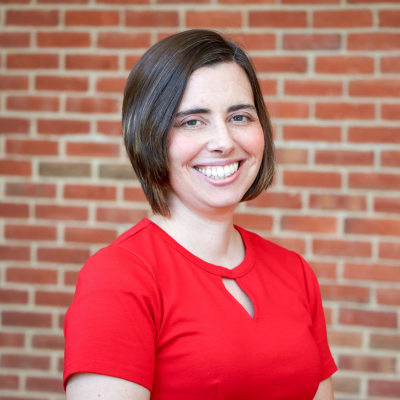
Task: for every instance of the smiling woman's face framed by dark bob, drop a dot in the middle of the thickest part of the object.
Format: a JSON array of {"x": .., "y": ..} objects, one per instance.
[{"x": 216, "y": 144}]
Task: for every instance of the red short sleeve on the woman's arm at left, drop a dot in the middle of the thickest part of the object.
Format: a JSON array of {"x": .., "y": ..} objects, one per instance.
[{"x": 111, "y": 326}]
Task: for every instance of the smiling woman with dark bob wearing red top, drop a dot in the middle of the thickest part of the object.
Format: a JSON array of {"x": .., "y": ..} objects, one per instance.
[{"x": 186, "y": 305}]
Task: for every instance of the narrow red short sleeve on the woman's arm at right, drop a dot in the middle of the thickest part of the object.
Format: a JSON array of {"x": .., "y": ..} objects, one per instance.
[{"x": 328, "y": 366}]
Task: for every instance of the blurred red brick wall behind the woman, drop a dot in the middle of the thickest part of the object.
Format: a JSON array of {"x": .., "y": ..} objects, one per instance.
[{"x": 330, "y": 73}]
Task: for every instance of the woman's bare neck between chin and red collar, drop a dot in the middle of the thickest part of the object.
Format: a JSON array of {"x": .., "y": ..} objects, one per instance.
[{"x": 212, "y": 238}]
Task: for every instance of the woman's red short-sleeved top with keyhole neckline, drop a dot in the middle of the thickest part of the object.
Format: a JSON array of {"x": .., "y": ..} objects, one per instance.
[{"x": 148, "y": 311}]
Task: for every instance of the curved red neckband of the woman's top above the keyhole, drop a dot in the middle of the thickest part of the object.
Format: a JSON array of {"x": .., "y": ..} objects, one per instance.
[{"x": 242, "y": 269}]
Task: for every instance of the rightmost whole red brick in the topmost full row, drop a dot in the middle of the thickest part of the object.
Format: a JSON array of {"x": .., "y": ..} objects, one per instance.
[{"x": 342, "y": 19}]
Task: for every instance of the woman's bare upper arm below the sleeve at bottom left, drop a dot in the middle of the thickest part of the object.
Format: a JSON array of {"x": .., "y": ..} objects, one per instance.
[{"x": 85, "y": 386}]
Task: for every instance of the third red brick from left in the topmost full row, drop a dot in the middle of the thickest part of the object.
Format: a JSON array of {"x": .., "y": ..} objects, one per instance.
[{"x": 152, "y": 19}]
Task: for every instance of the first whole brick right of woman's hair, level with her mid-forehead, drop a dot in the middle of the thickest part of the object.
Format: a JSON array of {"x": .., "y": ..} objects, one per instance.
[{"x": 313, "y": 88}]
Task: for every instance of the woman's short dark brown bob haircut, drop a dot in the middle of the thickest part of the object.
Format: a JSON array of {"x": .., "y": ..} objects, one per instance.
[{"x": 152, "y": 96}]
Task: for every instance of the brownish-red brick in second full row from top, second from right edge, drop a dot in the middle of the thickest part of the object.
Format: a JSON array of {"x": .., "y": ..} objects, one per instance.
[{"x": 311, "y": 42}]
